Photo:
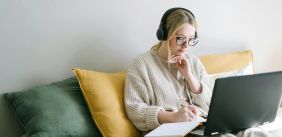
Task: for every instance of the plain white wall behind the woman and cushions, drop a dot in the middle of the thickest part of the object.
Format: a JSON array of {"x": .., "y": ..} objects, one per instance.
[{"x": 41, "y": 40}]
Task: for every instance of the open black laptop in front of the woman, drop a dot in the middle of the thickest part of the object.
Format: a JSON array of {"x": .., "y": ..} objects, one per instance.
[{"x": 242, "y": 102}]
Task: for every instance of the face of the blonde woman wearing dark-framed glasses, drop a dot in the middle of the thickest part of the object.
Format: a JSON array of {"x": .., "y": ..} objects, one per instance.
[{"x": 179, "y": 41}]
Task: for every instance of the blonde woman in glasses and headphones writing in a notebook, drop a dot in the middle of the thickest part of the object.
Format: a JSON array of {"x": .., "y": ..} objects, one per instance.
[{"x": 162, "y": 81}]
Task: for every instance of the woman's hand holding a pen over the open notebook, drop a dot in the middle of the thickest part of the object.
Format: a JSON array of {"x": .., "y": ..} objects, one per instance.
[{"x": 185, "y": 113}]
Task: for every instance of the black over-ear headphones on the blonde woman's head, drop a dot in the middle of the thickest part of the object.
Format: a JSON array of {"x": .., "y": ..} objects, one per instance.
[{"x": 162, "y": 30}]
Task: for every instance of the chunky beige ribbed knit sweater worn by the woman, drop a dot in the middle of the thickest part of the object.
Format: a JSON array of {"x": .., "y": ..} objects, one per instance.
[{"x": 150, "y": 87}]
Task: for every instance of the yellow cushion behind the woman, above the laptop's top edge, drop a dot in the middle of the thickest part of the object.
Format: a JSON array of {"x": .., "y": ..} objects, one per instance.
[{"x": 218, "y": 63}]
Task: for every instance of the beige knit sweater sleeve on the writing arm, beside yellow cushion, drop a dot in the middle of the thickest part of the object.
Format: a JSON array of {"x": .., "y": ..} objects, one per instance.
[{"x": 138, "y": 98}]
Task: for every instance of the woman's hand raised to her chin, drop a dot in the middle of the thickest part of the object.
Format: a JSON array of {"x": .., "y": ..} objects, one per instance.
[{"x": 182, "y": 64}]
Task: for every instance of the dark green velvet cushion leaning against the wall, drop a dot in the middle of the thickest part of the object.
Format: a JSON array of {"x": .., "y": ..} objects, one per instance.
[{"x": 54, "y": 110}]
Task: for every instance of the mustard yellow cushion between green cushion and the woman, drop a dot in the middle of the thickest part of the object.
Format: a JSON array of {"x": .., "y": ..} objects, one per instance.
[{"x": 103, "y": 93}]
